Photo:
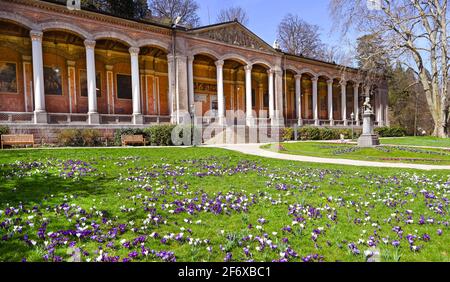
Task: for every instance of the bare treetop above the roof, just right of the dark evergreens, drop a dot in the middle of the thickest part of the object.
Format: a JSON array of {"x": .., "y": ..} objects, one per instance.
[{"x": 169, "y": 10}]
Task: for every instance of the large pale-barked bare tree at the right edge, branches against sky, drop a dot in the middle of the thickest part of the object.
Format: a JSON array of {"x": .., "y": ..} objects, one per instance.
[{"x": 414, "y": 32}]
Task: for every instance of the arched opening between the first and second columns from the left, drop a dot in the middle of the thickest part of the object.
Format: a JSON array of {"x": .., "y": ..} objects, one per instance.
[{"x": 64, "y": 55}]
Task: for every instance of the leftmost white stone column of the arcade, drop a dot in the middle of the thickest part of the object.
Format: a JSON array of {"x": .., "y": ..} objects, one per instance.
[{"x": 40, "y": 116}]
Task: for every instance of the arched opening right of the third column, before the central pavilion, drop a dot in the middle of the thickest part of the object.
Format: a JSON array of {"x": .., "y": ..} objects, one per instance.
[{"x": 153, "y": 66}]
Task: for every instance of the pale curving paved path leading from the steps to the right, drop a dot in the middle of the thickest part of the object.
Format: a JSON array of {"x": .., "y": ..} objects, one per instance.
[{"x": 254, "y": 149}]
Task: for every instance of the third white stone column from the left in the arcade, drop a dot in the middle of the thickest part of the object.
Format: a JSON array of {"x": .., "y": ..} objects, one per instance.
[{"x": 135, "y": 86}]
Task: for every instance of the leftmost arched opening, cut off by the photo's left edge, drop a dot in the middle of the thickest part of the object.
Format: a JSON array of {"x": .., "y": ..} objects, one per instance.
[{"x": 15, "y": 68}]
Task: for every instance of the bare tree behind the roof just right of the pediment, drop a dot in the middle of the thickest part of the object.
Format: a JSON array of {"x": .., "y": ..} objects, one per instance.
[{"x": 299, "y": 37}]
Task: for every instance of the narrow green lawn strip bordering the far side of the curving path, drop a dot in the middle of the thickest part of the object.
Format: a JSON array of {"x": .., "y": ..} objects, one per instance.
[{"x": 348, "y": 151}]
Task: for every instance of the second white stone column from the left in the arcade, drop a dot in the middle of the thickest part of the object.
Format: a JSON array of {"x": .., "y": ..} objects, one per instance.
[{"x": 93, "y": 117}]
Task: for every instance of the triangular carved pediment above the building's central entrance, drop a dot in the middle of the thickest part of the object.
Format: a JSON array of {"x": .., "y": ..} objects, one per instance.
[{"x": 232, "y": 33}]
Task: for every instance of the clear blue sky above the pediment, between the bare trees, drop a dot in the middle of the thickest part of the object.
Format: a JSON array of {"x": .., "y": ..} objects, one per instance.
[{"x": 265, "y": 15}]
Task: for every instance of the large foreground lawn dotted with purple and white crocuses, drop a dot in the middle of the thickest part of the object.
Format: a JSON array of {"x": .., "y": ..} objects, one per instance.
[{"x": 204, "y": 204}]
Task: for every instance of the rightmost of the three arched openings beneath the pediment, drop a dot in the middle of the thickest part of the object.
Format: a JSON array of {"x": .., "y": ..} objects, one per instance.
[{"x": 260, "y": 90}]
